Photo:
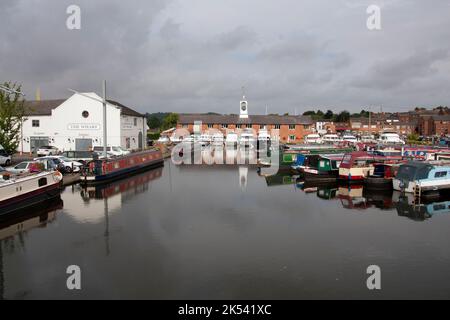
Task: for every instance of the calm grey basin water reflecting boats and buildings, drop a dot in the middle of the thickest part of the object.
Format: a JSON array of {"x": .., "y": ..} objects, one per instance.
[{"x": 224, "y": 232}]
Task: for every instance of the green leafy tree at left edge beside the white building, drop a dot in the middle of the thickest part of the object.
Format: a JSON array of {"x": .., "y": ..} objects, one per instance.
[{"x": 12, "y": 114}]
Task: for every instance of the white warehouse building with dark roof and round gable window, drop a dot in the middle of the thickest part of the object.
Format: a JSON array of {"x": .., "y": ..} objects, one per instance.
[{"x": 77, "y": 124}]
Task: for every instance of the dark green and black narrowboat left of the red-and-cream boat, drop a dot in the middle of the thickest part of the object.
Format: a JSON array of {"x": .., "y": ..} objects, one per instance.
[{"x": 325, "y": 168}]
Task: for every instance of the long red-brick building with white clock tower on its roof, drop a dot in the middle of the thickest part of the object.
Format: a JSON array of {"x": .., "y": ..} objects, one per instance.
[{"x": 291, "y": 129}]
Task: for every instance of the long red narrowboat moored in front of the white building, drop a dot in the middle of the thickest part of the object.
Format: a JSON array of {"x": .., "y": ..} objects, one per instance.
[{"x": 105, "y": 170}]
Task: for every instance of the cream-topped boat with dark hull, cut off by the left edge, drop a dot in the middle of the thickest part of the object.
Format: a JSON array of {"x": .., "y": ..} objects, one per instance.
[{"x": 25, "y": 191}]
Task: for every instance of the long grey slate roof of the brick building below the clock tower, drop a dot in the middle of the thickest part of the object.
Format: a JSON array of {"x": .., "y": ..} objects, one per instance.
[{"x": 252, "y": 119}]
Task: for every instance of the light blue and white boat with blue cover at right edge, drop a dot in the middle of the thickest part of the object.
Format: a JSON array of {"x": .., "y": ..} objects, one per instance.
[{"x": 424, "y": 178}]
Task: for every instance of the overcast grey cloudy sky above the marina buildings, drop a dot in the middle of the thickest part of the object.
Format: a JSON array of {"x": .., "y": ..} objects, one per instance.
[{"x": 195, "y": 55}]
